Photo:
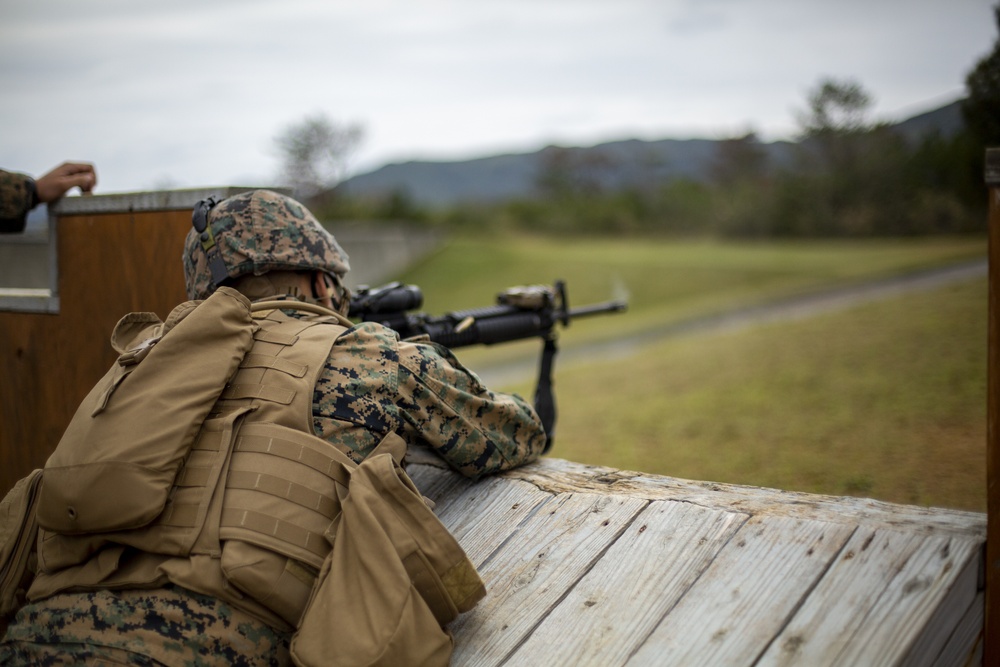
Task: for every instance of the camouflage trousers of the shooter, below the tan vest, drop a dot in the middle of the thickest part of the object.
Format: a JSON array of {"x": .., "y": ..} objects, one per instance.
[{"x": 166, "y": 626}]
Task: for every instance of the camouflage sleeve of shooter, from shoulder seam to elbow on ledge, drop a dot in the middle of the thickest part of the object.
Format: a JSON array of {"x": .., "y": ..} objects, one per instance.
[{"x": 447, "y": 407}]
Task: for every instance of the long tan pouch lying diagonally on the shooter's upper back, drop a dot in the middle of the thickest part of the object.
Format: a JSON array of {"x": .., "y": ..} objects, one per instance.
[{"x": 116, "y": 462}]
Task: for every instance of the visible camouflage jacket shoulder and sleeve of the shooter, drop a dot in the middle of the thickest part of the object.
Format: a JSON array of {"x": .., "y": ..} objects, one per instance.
[{"x": 374, "y": 383}]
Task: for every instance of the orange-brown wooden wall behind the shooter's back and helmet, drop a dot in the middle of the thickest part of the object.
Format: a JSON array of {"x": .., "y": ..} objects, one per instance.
[{"x": 110, "y": 263}]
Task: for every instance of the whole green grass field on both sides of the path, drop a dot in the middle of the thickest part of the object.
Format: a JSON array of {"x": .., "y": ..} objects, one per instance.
[{"x": 884, "y": 400}]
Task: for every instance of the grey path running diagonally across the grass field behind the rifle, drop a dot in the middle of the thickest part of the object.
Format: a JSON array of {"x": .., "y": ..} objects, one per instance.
[{"x": 789, "y": 309}]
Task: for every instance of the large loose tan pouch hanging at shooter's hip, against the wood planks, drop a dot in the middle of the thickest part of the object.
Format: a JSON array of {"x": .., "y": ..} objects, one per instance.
[{"x": 394, "y": 579}]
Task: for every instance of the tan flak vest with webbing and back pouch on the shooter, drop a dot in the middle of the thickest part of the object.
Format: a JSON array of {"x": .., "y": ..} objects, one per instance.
[{"x": 237, "y": 508}]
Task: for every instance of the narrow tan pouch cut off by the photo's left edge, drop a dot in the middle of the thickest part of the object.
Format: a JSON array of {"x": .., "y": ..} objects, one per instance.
[{"x": 18, "y": 531}]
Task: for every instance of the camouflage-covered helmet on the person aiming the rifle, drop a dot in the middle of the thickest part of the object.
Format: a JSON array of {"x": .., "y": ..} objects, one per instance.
[{"x": 253, "y": 233}]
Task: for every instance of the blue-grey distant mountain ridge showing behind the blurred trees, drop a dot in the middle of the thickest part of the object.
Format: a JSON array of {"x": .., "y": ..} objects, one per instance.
[{"x": 614, "y": 165}]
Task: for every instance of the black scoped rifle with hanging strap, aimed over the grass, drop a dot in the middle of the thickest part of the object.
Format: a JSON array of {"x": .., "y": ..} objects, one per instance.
[{"x": 520, "y": 313}]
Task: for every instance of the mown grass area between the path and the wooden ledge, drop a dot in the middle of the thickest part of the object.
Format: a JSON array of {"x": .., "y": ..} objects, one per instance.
[{"x": 885, "y": 400}]
